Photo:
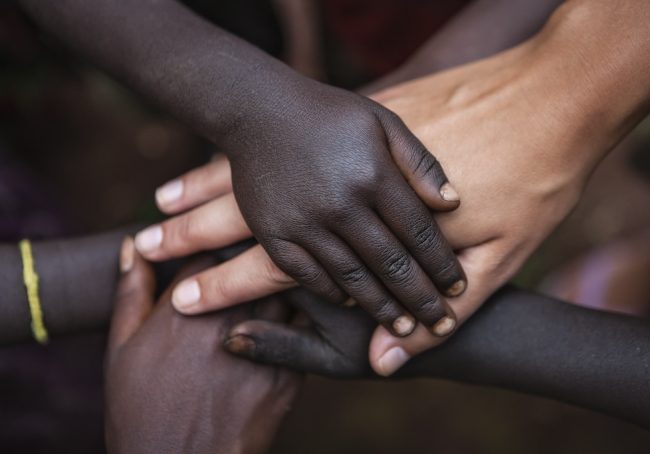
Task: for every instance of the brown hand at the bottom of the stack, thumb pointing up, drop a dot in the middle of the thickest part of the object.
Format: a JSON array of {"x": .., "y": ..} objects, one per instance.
[{"x": 170, "y": 387}]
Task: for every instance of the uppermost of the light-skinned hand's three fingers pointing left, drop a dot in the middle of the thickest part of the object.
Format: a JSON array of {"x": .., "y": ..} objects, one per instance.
[{"x": 195, "y": 187}]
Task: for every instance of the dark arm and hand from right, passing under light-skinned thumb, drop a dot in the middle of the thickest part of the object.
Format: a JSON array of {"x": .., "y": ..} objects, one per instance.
[{"x": 518, "y": 340}]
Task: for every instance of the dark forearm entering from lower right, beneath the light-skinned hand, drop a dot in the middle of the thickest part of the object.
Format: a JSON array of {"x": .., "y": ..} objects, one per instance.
[{"x": 537, "y": 345}]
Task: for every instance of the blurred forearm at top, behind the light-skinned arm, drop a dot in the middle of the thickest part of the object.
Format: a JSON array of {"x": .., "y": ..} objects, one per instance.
[{"x": 483, "y": 28}]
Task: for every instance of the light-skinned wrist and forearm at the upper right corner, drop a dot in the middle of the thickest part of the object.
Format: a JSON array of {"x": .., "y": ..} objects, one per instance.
[{"x": 593, "y": 54}]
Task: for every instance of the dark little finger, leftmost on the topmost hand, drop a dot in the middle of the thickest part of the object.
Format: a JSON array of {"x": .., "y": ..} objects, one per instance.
[{"x": 301, "y": 266}]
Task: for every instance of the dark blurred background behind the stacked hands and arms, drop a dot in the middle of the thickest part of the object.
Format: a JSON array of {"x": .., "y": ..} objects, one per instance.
[{"x": 79, "y": 153}]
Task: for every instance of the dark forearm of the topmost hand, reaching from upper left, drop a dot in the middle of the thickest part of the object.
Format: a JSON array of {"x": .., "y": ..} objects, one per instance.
[{"x": 206, "y": 77}]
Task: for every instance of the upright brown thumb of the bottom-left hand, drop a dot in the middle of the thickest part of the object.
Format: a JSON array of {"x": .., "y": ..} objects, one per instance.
[{"x": 134, "y": 297}]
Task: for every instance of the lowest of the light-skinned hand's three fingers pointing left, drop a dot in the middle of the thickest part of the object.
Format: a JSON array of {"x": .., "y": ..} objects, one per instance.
[{"x": 248, "y": 276}]
